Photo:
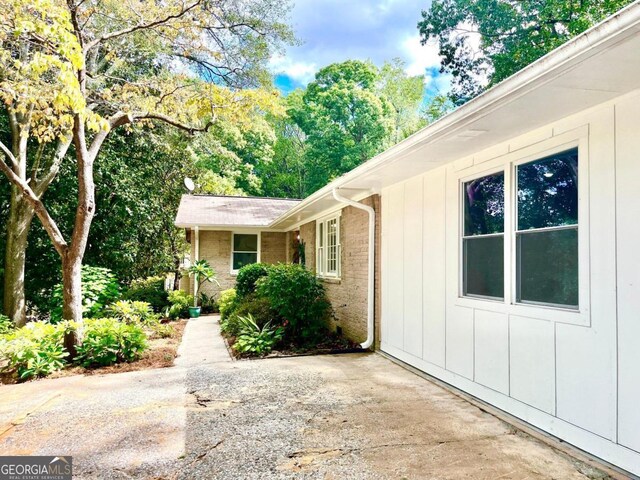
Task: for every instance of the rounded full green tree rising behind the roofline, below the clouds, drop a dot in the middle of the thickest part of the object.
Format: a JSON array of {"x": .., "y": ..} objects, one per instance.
[{"x": 345, "y": 119}]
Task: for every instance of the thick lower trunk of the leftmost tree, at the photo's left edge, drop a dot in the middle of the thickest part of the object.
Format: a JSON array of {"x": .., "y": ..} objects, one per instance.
[{"x": 20, "y": 217}]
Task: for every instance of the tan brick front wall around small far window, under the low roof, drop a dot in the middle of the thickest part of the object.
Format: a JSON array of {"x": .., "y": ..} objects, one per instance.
[{"x": 215, "y": 247}]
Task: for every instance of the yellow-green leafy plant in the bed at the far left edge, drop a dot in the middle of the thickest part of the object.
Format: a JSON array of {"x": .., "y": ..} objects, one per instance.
[{"x": 35, "y": 350}]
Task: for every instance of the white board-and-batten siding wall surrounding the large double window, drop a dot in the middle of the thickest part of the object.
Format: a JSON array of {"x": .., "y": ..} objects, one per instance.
[{"x": 573, "y": 374}]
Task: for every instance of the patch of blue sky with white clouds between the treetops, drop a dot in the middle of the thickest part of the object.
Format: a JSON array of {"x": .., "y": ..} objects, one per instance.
[{"x": 338, "y": 30}]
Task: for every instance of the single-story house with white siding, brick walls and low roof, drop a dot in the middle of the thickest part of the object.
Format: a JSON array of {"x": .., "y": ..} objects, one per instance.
[{"x": 502, "y": 242}]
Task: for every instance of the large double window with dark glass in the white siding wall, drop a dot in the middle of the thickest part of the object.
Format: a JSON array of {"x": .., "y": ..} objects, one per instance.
[{"x": 544, "y": 201}]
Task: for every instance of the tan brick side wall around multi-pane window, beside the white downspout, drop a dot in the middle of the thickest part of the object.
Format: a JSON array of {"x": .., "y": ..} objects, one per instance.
[{"x": 348, "y": 295}]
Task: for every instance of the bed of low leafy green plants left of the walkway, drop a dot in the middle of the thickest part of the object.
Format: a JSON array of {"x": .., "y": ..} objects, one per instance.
[{"x": 128, "y": 332}]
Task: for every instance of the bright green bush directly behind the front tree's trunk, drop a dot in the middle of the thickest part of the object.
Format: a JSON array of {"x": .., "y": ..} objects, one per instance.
[{"x": 100, "y": 287}]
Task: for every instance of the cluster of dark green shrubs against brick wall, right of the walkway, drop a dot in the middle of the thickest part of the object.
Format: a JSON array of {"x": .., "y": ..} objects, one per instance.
[{"x": 278, "y": 309}]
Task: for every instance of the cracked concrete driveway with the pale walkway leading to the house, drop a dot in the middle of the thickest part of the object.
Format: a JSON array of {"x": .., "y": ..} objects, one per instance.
[{"x": 331, "y": 417}]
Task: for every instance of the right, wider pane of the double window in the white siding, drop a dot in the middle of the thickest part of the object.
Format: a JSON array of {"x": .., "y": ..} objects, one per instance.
[{"x": 547, "y": 231}]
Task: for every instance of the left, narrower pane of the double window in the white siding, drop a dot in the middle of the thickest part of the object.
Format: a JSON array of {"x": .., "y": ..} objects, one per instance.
[{"x": 483, "y": 238}]
